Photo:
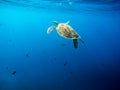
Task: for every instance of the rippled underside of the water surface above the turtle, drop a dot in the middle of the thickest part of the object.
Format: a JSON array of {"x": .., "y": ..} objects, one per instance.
[{"x": 73, "y": 5}]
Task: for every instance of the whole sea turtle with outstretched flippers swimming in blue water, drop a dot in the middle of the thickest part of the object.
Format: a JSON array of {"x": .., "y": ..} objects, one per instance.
[{"x": 66, "y": 31}]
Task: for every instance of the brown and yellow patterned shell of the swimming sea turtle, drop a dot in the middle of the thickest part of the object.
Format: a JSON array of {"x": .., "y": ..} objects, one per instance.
[{"x": 67, "y": 31}]
